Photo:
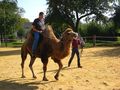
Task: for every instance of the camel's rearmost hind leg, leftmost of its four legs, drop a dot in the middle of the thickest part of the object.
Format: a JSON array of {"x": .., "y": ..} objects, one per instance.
[{"x": 23, "y": 56}]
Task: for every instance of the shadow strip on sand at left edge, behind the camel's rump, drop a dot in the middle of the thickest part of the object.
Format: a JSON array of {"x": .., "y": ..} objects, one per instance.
[{"x": 10, "y": 52}]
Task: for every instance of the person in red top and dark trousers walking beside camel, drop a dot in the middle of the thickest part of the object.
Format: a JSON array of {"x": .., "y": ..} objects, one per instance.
[{"x": 75, "y": 50}]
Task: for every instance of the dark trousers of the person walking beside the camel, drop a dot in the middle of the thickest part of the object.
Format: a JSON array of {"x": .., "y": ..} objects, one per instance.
[{"x": 74, "y": 51}]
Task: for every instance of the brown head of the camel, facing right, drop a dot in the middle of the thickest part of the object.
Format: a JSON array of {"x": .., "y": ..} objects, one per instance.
[{"x": 69, "y": 34}]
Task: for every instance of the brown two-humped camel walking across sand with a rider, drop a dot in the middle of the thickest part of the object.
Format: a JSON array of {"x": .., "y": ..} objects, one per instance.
[{"x": 50, "y": 46}]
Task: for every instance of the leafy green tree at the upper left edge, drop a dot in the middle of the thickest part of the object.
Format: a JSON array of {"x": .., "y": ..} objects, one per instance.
[{"x": 10, "y": 14}]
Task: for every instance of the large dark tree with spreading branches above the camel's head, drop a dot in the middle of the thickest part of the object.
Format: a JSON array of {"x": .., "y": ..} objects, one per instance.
[{"x": 72, "y": 11}]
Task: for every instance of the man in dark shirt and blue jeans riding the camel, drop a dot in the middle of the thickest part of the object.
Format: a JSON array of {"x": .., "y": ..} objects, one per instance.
[{"x": 38, "y": 26}]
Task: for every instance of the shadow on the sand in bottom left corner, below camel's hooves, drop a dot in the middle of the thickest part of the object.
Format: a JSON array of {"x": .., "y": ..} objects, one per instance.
[{"x": 10, "y": 84}]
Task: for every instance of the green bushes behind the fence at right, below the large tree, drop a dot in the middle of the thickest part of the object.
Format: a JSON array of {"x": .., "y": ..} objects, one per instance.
[{"x": 94, "y": 28}]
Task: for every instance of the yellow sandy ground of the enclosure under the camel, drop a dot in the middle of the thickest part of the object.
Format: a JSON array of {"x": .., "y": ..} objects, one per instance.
[{"x": 101, "y": 71}]
